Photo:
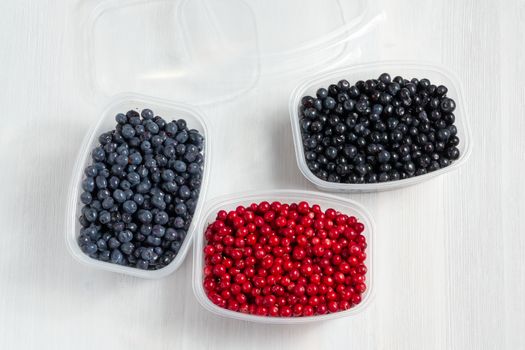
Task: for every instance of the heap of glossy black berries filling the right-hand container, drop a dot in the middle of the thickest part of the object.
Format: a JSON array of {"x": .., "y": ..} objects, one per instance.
[{"x": 378, "y": 130}]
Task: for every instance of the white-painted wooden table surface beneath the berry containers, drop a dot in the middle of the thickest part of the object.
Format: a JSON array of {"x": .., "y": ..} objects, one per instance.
[{"x": 450, "y": 267}]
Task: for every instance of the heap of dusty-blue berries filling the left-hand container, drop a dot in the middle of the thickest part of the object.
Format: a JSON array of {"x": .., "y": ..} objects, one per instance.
[{"x": 141, "y": 190}]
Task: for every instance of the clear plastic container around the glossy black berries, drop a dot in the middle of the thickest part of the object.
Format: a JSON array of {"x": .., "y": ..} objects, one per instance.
[{"x": 436, "y": 74}]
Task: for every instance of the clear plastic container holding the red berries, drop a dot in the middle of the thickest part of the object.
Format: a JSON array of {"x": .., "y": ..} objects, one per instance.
[{"x": 326, "y": 201}]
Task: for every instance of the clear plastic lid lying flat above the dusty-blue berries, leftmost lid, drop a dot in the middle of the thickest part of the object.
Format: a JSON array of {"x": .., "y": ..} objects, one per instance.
[{"x": 184, "y": 50}]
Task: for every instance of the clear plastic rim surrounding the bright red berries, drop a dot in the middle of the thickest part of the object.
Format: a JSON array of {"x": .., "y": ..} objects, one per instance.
[{"x": 216, "y": 203}]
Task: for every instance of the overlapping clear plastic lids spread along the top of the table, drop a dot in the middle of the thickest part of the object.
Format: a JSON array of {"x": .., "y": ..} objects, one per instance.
[{"x": 202, "y": 51}]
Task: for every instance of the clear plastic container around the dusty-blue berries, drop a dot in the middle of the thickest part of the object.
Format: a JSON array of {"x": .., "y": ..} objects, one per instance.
[{"x": 124, "y": 103}]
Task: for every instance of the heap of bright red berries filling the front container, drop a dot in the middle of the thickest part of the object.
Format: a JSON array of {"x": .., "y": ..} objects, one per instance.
[{"x": 285, "y": 260}]
